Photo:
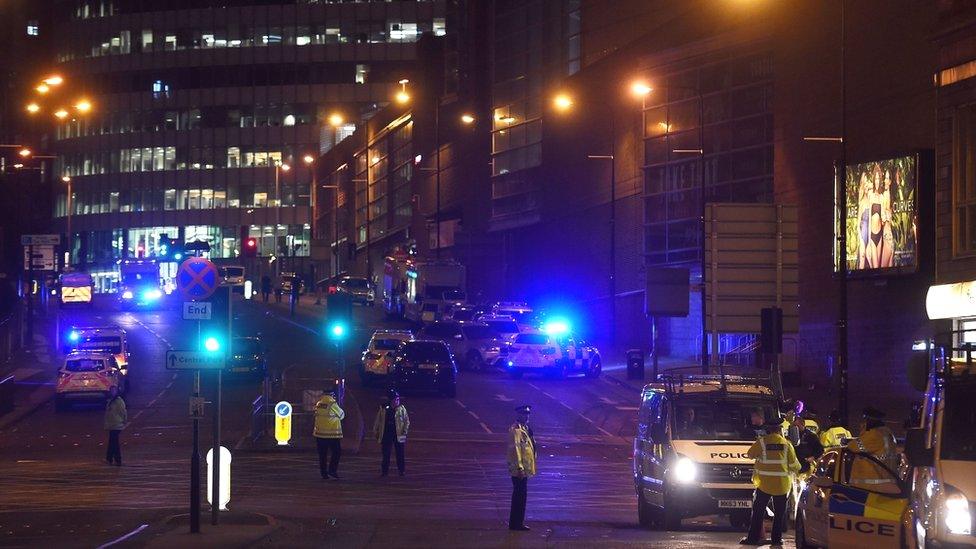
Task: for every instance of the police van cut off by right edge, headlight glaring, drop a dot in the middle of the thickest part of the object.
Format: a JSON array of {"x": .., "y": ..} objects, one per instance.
[{"x": 941, "y": 450}]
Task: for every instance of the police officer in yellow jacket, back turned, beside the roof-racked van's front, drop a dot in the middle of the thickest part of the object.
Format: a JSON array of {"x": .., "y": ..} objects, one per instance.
[{"x": 775, "y": 462}]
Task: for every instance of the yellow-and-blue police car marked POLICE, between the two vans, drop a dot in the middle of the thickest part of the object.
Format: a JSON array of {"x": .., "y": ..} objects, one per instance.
[{"x": 842, "y": 507}]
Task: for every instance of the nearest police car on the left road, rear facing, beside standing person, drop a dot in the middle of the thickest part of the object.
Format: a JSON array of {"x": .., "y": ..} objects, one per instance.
[{"x": 88, "y": 377}]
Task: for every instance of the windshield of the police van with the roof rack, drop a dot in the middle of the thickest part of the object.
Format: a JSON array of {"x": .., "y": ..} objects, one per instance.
[{"x": 718, "y": 419}]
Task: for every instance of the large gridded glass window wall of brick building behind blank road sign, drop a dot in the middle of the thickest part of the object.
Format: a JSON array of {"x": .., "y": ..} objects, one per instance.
[{"x": 730, "y": 101}]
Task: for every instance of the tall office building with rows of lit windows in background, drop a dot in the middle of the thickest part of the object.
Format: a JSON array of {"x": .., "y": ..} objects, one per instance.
[{"x": 203, "y": 114}]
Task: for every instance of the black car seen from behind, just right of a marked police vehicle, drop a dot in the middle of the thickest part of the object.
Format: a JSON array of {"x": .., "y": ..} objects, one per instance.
[{"x": 424, "y": 365}]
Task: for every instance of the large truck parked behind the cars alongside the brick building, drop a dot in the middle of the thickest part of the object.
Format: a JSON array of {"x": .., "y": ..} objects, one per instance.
[{"x": 420, "y": 290}]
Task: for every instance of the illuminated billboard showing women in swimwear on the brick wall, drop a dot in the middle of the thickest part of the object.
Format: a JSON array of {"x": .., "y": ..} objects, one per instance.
[{"x": 881, "y": 217}]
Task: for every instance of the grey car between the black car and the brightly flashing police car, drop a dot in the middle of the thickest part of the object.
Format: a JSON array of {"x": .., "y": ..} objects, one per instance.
[{"x": 475, "y": 344}]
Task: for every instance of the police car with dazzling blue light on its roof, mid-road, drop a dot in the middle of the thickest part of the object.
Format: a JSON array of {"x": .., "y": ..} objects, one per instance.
[{"x": 553, "y": 354}]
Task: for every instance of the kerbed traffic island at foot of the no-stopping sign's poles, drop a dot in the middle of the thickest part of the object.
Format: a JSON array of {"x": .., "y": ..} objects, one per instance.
[{"x": 235, "y": 529}]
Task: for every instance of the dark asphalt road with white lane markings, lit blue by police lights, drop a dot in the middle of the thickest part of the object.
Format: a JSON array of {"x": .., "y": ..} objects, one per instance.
[{"x": 56, "y": 489}]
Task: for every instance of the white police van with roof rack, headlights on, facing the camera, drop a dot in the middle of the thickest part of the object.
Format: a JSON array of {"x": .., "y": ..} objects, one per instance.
[{"x": 693, "y": 432}]
